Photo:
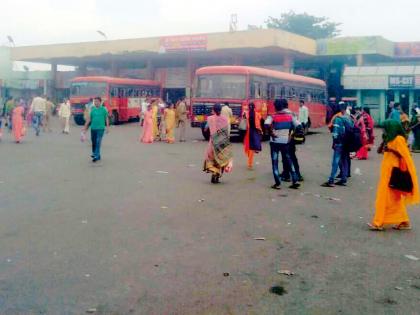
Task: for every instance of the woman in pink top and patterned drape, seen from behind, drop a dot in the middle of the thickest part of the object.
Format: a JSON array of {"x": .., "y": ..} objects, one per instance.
[{"x": 218, "y": 157}]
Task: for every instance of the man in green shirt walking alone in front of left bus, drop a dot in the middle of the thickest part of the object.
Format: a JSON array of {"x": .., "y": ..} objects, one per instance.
[{"x": 99, "y": 123}]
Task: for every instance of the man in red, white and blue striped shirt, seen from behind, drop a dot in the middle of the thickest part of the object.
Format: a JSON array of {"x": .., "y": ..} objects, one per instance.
[{"x": 281, "y": 125}]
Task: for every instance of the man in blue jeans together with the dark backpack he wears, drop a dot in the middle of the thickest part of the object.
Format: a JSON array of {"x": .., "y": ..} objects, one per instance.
[{"x": 343, "y": 135}]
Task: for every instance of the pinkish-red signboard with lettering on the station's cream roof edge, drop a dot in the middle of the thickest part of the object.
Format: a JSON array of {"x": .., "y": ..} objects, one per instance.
[{"x": 183, "y": 43}]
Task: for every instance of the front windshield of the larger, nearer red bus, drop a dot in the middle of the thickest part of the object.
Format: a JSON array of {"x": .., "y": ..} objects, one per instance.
[{"x": 229, "y": 86}]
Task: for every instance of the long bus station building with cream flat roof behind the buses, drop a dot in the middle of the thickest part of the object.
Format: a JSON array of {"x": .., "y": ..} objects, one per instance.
[{"x": 369, "y": 71}]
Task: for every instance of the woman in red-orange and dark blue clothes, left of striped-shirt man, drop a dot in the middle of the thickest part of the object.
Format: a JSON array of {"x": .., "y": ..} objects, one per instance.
[{"x": 252, "y": 140}]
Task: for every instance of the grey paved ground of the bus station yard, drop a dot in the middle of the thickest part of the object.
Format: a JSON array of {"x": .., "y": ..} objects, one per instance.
[{"x": 123, "y": 238}]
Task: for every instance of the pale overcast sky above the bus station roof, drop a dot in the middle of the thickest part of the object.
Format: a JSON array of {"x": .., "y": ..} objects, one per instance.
[{"x": 32, "y": 22}]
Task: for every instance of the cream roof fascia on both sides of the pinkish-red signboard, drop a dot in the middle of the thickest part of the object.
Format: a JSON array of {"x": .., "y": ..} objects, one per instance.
[{"x": 216, "y": 41}]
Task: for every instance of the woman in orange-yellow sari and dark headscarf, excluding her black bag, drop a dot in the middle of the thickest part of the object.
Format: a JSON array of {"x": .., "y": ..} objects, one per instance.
[{"x": 391, "y": 203}]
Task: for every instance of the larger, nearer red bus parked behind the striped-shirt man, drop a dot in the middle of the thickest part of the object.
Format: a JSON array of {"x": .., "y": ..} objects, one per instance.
[{"x": 241, "y": 85}]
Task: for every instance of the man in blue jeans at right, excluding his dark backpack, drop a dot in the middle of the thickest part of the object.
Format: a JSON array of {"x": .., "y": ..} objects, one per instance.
[{"x": 340, "y": 155}]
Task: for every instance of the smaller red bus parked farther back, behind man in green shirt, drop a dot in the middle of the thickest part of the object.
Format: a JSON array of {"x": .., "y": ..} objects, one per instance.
[{"x": 122, "y": 97}]
